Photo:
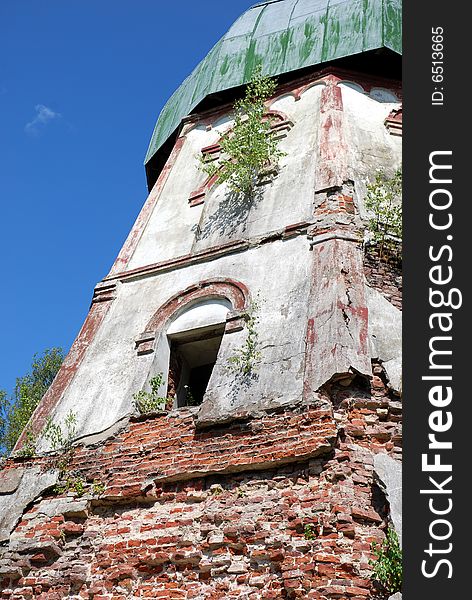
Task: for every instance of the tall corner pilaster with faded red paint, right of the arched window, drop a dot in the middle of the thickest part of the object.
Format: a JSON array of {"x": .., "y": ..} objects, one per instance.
[{"x": 337, "y": 329}]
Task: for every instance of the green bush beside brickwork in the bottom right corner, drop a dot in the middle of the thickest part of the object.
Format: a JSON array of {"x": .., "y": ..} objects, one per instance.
[{"x": 387, "y": 566}]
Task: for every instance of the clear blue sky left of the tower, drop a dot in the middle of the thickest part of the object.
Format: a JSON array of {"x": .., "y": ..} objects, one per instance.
[{"x": 81, "y": 85}]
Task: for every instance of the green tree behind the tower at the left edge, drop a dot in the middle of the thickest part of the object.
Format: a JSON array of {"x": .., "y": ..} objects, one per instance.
[{"x": 16, "y": 409}]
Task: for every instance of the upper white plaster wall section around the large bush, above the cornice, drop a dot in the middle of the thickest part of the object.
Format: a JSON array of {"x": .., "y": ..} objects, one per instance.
[{"x": 175, "y": 228}]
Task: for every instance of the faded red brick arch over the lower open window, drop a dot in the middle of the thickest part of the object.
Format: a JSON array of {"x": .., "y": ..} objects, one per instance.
[{"x": 233, "y": 291}]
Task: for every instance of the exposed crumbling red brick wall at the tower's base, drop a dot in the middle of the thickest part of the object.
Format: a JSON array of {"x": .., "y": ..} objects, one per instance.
[{"x": 282, "y": 505}]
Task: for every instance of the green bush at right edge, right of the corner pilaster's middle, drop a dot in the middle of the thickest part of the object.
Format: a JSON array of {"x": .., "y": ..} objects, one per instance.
[{"x": 383, "y": 201}]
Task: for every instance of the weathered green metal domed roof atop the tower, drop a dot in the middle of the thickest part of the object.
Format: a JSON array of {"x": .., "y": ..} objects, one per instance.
[{"x": 284, "y": 36}]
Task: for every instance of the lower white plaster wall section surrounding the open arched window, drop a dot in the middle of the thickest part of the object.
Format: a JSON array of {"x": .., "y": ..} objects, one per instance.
[{"x": 101, "y": 391}]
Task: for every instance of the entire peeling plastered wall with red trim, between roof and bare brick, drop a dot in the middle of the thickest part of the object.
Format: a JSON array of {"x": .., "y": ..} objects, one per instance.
[{"x": 311, "y": 329}]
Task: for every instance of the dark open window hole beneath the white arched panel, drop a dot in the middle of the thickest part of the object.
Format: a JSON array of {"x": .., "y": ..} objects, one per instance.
[{"x": 193, "y": 355}]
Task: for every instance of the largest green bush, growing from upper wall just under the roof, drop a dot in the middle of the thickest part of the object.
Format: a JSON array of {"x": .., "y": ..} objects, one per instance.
[{"x": 250, "y": 149}]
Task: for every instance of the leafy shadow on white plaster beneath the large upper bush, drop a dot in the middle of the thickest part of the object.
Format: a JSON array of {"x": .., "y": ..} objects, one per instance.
[{"x": 231, "y": 213}]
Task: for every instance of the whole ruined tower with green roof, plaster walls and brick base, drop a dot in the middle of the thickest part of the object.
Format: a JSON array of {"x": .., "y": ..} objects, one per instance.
[{"x": 264, "y": 483}]
